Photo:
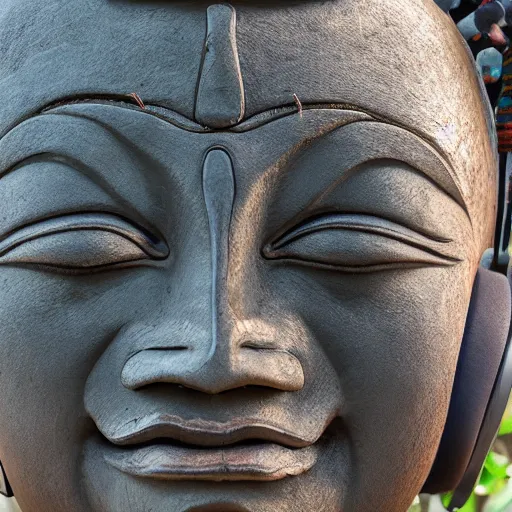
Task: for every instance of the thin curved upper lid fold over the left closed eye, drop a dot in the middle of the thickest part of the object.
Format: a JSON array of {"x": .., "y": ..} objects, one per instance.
[{"x": 153, "y": 247}]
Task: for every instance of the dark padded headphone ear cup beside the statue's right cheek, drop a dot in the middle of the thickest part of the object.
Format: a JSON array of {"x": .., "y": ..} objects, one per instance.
[{"x": 480, "y": 390}]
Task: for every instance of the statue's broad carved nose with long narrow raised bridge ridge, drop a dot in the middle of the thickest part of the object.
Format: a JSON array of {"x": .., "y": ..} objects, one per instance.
[{"x": 230, "y": 361}]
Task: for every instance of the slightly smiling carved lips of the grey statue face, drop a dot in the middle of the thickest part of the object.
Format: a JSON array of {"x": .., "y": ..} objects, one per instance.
[{"x": 169, "y": 448}]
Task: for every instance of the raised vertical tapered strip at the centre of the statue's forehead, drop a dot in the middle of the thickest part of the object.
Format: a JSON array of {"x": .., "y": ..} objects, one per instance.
[{"x": 220, "y": 98}]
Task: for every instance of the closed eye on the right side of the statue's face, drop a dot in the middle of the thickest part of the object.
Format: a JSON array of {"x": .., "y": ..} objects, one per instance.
[{"x": 359, "y": 243}]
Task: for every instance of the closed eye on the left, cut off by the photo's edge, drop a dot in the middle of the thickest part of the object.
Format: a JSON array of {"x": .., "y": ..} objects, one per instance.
[{"x": 88, "y": 241}]
